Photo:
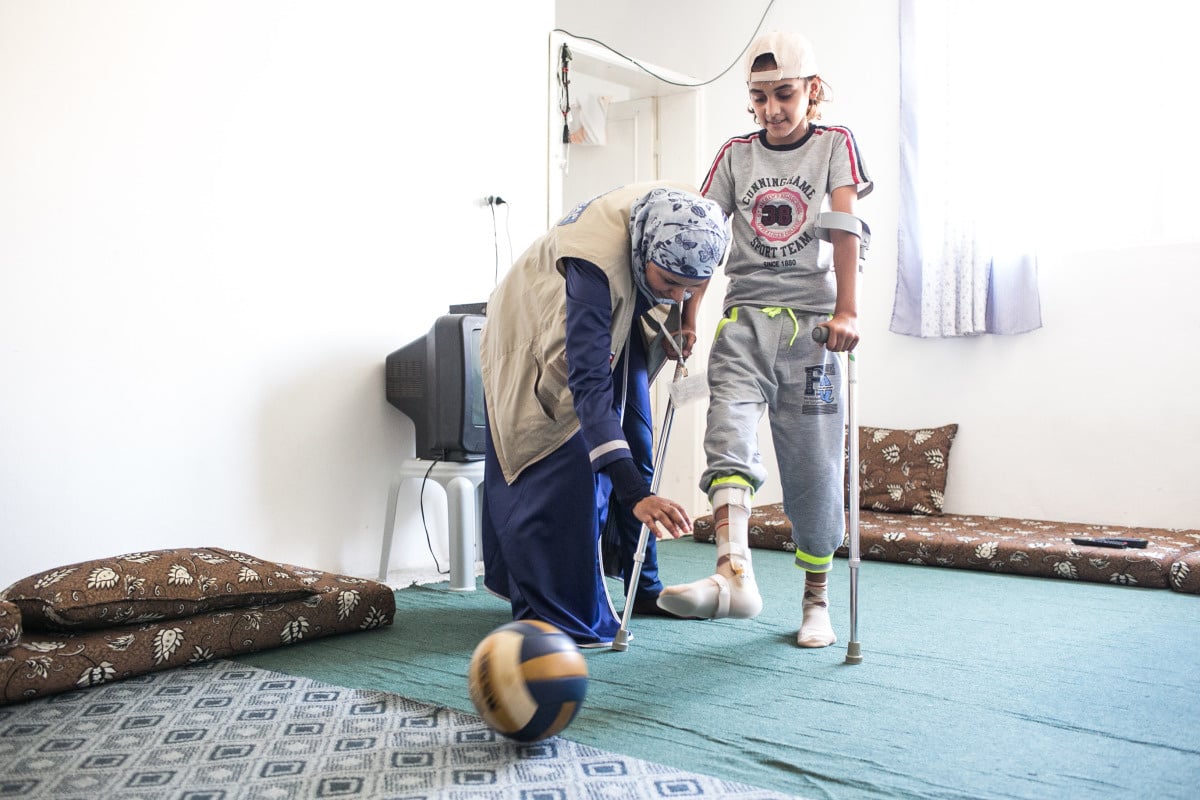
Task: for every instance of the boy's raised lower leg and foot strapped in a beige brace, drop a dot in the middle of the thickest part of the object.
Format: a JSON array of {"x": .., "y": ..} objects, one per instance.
[{"x": 731, "y": 592}]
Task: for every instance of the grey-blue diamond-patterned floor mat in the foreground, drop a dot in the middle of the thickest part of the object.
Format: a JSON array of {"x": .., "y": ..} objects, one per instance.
[{"x": 223, "y": 731}]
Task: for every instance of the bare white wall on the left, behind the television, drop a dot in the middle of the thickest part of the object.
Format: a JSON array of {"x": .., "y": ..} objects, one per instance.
[{"x": 217, "y": 220}]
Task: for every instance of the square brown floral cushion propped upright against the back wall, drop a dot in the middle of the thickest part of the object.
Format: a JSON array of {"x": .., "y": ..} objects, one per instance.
[{"x": 904, "y": 471}]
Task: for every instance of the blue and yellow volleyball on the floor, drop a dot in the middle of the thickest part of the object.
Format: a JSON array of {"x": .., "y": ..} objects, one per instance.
[{"x": 527, "y": 681}]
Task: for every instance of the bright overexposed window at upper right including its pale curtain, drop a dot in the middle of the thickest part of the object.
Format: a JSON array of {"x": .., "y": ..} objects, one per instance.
[{"x": 1034, "y": 127}]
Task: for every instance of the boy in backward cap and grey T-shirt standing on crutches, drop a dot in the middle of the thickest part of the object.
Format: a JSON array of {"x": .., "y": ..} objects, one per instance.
[{"x": 783, "y": 284}]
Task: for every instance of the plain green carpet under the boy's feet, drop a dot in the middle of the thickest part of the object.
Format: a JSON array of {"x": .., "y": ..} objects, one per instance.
[{"x": 973, "y": 684}]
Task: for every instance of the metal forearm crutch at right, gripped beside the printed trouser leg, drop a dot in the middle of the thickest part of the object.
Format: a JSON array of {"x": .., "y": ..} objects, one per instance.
[{"x": 853, "y": 225}]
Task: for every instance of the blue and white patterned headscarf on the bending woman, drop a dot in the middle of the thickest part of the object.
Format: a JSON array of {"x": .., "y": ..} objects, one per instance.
[{"x": 681, "y": 232}]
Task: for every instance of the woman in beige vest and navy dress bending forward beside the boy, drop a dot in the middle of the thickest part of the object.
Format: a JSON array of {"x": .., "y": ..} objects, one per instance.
[{"x": 574, "y": 335}]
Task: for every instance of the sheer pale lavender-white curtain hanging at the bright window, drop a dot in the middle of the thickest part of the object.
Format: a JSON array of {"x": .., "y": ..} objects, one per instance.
[{"x": 965, "y": 267}]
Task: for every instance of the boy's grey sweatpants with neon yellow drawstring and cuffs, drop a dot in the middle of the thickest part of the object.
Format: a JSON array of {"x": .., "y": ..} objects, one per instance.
[{"x": 765, "y": 359}]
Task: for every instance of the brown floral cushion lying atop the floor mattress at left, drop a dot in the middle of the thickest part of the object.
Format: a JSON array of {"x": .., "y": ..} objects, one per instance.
[{"x": 146, "y": 587}]
